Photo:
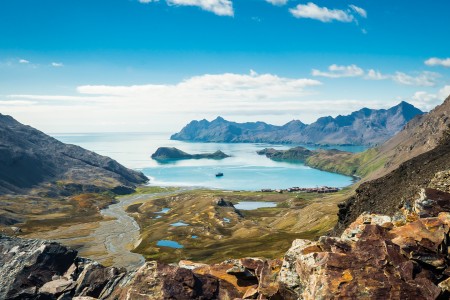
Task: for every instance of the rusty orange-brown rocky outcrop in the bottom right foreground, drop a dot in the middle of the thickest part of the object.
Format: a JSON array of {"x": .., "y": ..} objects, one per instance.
[{"x": 373, "y": 259}]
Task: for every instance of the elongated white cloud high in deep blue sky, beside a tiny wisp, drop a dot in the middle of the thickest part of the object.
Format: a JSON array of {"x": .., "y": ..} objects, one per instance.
[{"x": 324, "y": 14}]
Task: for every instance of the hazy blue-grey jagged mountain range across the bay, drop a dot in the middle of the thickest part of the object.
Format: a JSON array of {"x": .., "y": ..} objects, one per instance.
[{"x": 363, "y": 127}]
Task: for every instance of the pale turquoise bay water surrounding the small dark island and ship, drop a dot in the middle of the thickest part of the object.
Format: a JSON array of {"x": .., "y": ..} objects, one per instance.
[{"x": 245, "y": 170}]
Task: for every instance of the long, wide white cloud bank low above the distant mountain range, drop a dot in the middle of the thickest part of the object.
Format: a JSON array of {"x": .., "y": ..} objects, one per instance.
[{"x": 220, "y": 87}]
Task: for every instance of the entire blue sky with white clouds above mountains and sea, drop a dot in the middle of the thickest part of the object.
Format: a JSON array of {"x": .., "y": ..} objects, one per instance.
[{"x": 121, "y": 65}]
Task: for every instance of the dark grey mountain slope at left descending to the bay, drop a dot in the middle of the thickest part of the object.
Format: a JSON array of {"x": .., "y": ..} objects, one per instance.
[{"x": 29, "y": 158}]
